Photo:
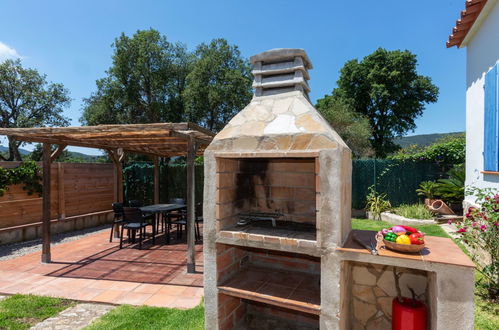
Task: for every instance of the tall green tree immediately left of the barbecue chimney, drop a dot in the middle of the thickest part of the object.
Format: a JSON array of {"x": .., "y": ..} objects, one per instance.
[{"x": 218, "y": 86}]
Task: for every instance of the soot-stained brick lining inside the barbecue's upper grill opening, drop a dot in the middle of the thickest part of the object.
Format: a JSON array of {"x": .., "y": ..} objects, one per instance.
[{"x": 286, "y": 185}]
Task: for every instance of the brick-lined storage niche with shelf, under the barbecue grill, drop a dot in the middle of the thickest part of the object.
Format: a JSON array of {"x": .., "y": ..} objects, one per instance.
[{"x": 262, "y": 289}]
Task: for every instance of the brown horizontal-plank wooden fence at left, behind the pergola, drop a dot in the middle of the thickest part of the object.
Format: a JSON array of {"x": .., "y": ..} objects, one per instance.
[{"x": 76, "y": 189}]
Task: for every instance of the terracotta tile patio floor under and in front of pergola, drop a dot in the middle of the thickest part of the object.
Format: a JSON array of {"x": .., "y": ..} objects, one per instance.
[{"x": 92, "y": 269}]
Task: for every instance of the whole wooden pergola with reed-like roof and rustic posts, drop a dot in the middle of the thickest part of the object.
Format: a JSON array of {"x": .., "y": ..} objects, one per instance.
[{"x": 156, "y": 140}]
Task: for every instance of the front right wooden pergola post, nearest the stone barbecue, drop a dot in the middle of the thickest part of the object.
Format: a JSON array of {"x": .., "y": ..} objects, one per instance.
[{"x": 191, "y": 206}]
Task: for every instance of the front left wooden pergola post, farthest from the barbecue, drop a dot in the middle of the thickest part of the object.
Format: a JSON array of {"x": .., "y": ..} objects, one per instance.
[{"x": 46, "y": 258}]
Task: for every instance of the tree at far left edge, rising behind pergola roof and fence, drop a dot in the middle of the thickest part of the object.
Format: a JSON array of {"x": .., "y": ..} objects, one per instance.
[{"x": 28, "y": 100}]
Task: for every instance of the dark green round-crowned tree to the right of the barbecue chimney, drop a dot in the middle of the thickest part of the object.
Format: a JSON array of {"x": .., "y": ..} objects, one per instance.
[{"x": 386, "y": 88}]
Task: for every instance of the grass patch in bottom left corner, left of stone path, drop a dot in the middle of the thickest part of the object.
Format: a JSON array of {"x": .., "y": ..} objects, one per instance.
[{"x": 23, "y": 311}]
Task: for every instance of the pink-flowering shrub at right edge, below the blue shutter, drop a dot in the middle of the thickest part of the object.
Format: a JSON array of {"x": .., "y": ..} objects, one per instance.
[{"x": 479, "y": 230}]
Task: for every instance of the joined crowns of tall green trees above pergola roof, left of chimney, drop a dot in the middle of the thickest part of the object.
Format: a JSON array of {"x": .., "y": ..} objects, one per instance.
[{"x": 152, "y": 80}]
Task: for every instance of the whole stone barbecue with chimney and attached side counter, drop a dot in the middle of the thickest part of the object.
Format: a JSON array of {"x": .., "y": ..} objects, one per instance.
[{"x": 278, "y": 243}]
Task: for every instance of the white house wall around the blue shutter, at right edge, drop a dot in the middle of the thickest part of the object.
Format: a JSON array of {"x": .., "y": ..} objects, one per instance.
[{"x": 482, "y": 54}]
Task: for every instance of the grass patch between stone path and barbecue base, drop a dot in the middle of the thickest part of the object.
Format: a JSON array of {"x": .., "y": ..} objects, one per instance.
[{"x": 145, "y": 317}]
